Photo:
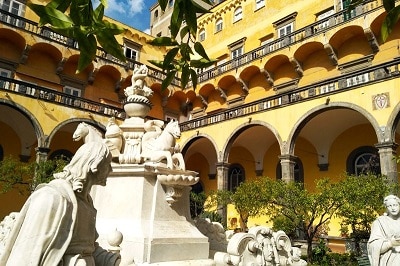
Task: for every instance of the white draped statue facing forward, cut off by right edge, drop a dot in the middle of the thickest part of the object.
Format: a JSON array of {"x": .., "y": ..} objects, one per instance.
[{"x": 384, "y": 242}]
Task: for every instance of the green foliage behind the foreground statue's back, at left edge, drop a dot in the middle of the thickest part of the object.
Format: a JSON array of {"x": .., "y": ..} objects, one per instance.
[{"x": 24, "y": 177}]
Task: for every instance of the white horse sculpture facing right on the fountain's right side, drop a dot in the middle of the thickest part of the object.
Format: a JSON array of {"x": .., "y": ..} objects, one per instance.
[{"x": 159, "y": 145}]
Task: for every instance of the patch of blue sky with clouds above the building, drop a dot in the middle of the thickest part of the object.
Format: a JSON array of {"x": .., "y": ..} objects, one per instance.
[{"x": 134, "y": 13}]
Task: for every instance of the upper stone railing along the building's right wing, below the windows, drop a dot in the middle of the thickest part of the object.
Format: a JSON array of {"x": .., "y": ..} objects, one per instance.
[{"x": 312, "y": 30}]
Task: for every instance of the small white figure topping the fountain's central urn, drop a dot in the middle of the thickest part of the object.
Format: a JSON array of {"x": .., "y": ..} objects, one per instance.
[{"x": 138, "y": 87}]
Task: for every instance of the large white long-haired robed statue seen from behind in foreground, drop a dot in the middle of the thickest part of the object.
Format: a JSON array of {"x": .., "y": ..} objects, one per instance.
[{"x": 56, "y": 226}]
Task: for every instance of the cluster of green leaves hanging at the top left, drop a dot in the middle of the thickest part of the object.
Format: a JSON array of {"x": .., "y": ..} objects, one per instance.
[{"x": 83, "y": 24}]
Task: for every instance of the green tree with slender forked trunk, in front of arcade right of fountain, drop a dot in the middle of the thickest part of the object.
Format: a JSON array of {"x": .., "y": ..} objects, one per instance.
[{"x": 311, "y": 211}]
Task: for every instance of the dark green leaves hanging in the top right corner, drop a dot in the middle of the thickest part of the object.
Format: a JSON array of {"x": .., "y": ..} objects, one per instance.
[{"x": 391, "y": 18}]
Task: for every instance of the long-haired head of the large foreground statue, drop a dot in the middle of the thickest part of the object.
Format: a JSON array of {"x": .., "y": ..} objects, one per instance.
[{"x": 91, "y": 160}]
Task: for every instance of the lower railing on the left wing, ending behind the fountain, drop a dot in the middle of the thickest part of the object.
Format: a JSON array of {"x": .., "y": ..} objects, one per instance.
[{"x": 52, "y": 96}]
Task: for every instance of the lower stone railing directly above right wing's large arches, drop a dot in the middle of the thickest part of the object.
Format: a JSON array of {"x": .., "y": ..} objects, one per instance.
[{"x": 324, "y": 88}]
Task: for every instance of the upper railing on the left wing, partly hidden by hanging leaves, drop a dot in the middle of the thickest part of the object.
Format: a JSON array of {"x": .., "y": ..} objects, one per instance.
[{"x": 46, "y": 33}]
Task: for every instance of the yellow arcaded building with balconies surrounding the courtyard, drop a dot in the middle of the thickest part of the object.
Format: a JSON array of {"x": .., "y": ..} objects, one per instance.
[{"x": 302, "y": 90}]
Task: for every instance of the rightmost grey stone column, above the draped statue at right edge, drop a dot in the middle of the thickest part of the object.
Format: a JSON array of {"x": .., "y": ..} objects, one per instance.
[{"x": 387, "y": 151}]
